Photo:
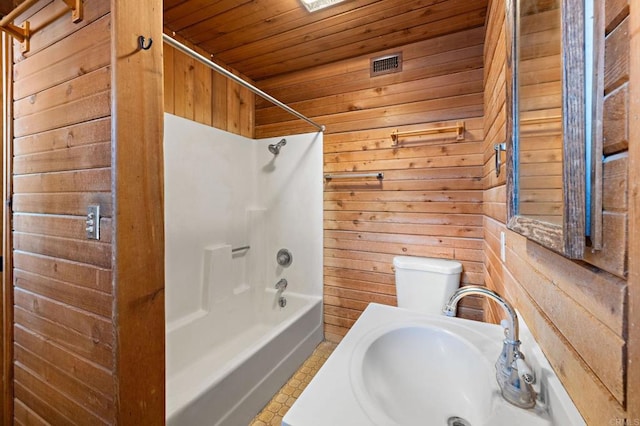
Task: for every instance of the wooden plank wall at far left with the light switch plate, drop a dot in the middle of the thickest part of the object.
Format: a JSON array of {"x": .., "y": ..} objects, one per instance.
[{"x": 64, "y": 334}]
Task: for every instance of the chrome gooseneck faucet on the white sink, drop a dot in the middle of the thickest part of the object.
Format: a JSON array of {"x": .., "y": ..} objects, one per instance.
[{"x": 512, "y": 373}]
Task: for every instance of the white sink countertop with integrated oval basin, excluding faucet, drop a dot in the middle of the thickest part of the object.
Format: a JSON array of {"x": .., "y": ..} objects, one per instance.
[{"x": 397, "y": 367}]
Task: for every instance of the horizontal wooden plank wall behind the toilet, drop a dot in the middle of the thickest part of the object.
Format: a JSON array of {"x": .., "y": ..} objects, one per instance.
[{"x": 430, "y": 201}]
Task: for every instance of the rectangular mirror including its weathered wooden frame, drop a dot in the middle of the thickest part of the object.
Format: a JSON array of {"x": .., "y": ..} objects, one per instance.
[{"x": 545, "y": 126}]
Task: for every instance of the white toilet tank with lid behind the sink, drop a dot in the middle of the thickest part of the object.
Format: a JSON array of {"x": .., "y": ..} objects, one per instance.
[{"x": 424, "y": 284}]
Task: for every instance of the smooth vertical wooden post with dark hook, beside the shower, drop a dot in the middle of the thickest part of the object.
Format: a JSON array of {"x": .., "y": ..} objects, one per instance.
[{"x": 138, "y": 235}]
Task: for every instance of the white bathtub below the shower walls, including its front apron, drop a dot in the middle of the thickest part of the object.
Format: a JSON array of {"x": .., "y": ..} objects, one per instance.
[{"x": 224, "y": 365}]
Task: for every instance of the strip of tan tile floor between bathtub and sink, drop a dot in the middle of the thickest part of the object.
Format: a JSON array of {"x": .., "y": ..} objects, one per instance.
[{"x": 275, "y": 410}]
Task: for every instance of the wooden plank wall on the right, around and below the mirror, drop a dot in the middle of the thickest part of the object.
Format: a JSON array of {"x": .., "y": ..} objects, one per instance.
[{"x": 576, "y": 311}]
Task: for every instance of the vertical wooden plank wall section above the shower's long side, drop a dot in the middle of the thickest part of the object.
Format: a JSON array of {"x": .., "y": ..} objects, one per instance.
[{"x": 196, "y": 92}]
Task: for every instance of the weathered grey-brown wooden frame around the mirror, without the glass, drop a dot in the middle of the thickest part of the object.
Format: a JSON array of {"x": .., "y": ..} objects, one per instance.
[{"x": 568, "y": 239}]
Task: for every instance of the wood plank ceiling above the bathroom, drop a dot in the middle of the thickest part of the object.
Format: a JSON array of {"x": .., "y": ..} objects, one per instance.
[{"x": 265, "y": 38}]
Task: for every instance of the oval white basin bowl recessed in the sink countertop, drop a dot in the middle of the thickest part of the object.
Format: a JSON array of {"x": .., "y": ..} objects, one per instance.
[{"x": 418, "y": 371}]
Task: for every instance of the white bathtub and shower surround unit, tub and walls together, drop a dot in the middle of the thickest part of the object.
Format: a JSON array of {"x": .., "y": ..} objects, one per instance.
[{"x": 230, "y": 344}]
